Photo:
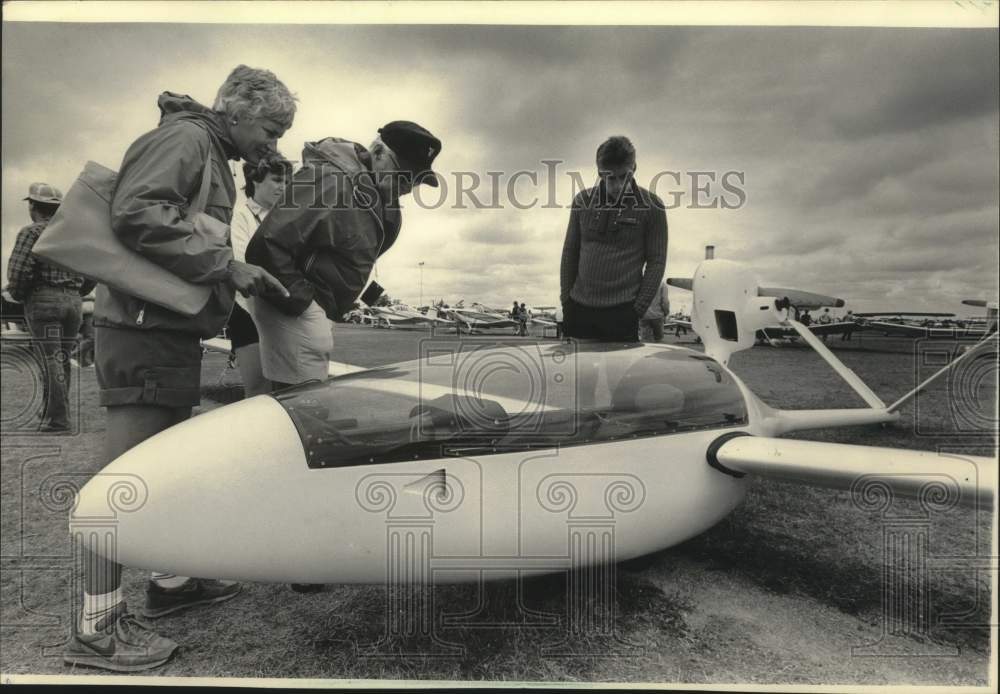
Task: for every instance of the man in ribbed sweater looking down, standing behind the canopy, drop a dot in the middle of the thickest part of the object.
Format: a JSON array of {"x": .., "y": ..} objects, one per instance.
[{"x": 614, "y": 252}]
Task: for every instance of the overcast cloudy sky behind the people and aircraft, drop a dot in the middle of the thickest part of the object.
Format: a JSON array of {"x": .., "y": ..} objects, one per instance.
[{"x": 868, "y": 156}]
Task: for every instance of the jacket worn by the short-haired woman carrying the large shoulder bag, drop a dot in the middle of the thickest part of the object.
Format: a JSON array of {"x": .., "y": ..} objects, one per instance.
[{"x": 159, "y": 178}]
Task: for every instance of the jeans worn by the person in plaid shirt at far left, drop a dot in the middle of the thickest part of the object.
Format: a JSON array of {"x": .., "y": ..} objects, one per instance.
[{"x": 53, "y": 315}]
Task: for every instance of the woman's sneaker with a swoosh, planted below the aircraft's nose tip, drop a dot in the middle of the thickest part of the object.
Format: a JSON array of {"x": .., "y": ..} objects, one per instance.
[{"x": 122, "y": 644}]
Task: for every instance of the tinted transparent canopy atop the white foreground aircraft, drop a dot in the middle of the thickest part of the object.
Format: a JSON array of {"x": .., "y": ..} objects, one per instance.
[{"x": 490, "y": 400}]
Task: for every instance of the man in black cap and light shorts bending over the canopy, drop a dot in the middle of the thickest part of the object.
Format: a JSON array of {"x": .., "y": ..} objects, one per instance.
[{"x": 342, "y": 215}]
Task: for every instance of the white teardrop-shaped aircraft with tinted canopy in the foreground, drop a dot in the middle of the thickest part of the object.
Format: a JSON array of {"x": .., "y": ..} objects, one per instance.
[{"x": 490, "y": 462}]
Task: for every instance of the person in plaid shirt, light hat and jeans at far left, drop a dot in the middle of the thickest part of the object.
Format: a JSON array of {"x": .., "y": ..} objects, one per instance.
[{"x": 53, "y": 310}]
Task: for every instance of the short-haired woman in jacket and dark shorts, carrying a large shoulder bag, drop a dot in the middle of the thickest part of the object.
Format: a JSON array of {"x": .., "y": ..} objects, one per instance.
[{"x": 148, "y": 357}]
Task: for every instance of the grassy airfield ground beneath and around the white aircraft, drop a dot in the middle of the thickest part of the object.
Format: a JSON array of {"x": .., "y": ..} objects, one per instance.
[{"x": 785, "y": 590}]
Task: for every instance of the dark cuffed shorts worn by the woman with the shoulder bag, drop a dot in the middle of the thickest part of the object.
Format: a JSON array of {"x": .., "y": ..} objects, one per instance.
[{"x": 147, "y": 367}]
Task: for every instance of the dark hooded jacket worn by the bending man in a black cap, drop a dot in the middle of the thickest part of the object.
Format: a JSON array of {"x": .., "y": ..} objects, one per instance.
[{"x": 321, "y": 241}]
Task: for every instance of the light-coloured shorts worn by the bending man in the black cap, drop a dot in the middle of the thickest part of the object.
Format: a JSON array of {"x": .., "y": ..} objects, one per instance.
[{"x": 293, "y": 349}]
